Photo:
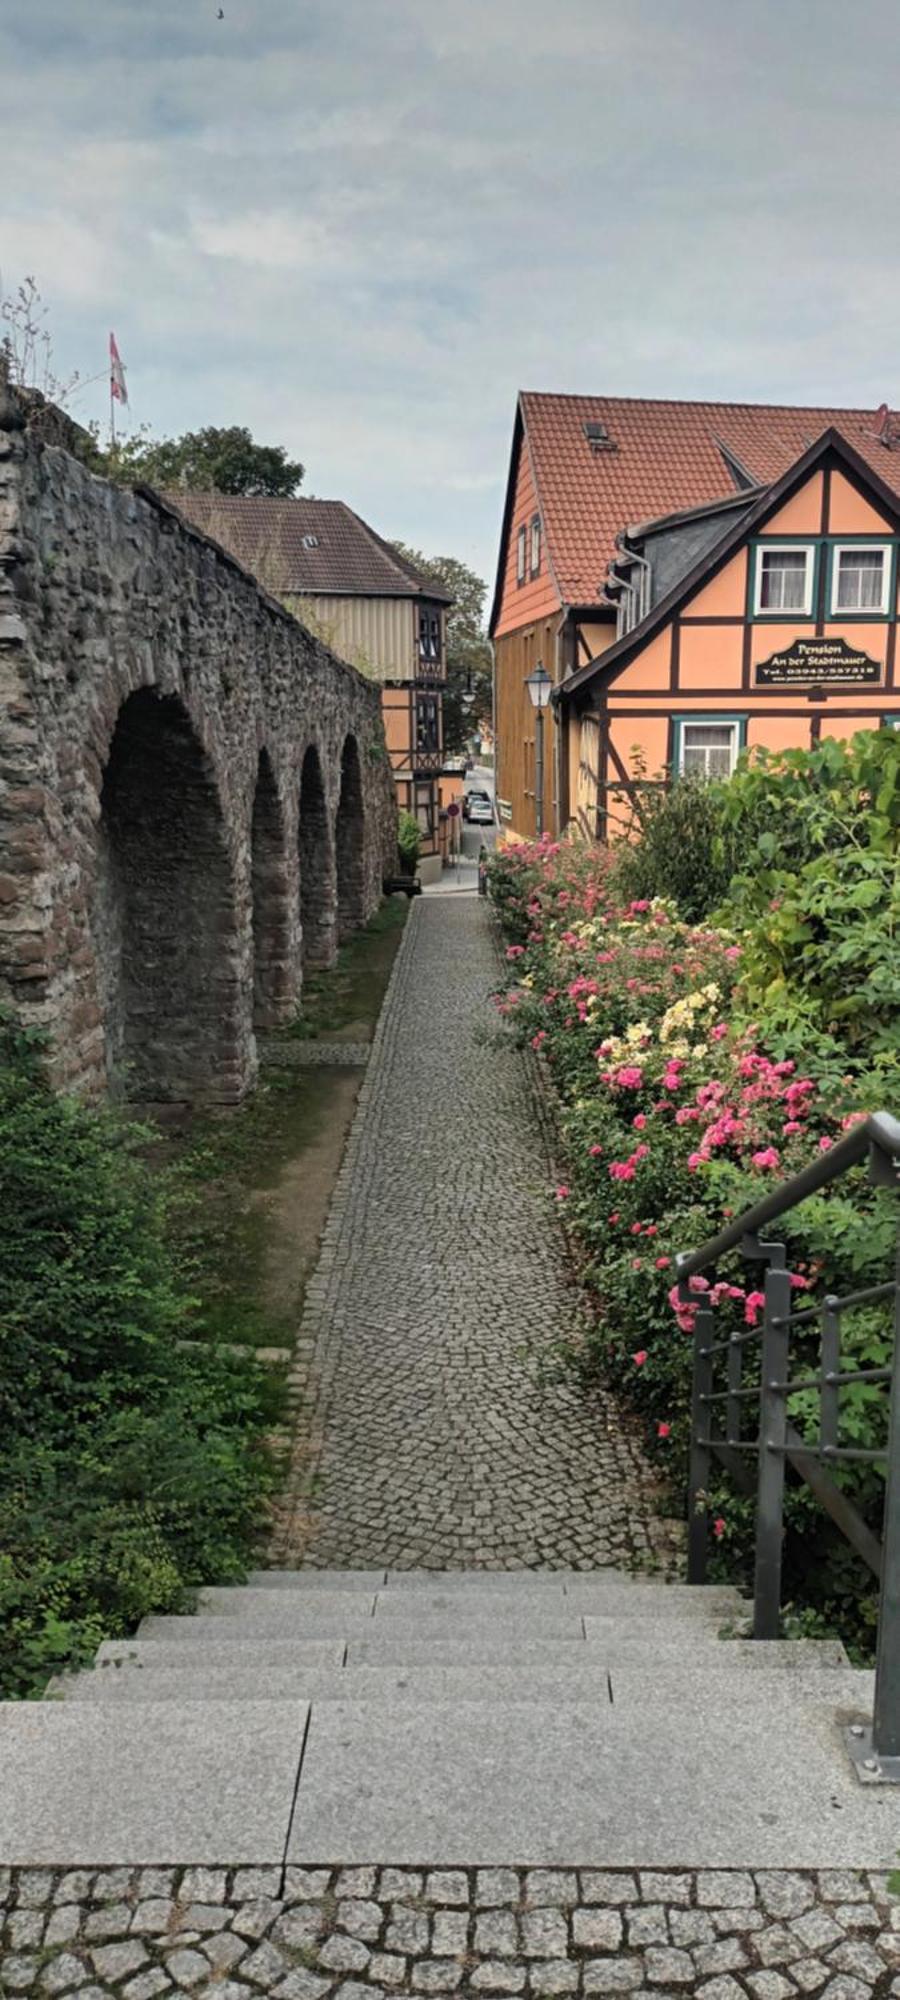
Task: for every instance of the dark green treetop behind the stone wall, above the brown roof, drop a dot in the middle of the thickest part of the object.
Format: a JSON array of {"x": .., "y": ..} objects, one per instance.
[{"x": 209, "y": 461}]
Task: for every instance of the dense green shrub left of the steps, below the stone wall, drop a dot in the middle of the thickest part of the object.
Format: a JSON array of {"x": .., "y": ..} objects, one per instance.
[{"x": 133, "y": 1465}]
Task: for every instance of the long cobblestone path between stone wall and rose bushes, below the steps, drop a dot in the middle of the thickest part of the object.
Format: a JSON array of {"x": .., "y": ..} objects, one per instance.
[{"x": 443, "y": 1431}]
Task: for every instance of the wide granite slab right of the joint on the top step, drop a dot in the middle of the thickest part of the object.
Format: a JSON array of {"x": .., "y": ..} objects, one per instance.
[{"x": 753, "y": 1785}]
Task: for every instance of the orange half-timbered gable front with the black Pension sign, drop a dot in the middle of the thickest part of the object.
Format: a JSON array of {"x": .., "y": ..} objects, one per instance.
[{"x": 787, "y": 639}]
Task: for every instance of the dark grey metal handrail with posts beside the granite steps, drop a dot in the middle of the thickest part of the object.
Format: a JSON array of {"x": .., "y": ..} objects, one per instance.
[{"x": 777, "y": 1443}]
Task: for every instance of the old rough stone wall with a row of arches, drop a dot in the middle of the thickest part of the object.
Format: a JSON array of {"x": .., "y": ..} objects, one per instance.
[{"x": 195, "y": 793}]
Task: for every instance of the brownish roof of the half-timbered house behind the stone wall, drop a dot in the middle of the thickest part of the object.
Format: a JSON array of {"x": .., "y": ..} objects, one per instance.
[{"x": 307, "y": 547}]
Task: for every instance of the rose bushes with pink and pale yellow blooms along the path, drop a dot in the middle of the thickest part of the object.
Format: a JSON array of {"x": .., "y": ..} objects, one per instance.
[{"x": 675, "y": 1115}]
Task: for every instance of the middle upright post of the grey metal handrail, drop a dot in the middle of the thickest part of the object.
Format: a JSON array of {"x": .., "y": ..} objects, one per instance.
[{"x": 773, "y": 1441}]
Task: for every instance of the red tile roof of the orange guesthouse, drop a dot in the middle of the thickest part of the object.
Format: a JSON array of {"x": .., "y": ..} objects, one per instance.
[{"x": 667, "y": 457}]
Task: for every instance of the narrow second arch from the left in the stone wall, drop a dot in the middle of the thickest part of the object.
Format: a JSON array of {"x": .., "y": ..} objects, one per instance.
[{"x": 271, "y": 903}]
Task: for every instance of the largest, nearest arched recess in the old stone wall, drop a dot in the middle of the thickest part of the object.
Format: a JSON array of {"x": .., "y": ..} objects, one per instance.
[{"x": 165, "y": 917}]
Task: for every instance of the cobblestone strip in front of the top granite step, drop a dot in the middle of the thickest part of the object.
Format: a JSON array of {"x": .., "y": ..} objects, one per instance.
[{"x": 371, "y": 1933}]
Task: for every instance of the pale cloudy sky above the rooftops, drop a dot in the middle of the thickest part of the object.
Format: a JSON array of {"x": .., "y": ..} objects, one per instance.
[{"x": 361, "y": 227}]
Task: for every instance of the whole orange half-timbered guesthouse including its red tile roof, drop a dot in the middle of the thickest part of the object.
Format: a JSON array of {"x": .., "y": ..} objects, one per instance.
[{"x": 695, "y": 581}]
